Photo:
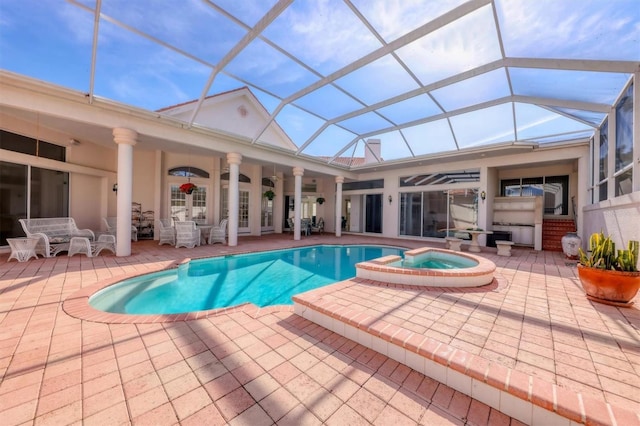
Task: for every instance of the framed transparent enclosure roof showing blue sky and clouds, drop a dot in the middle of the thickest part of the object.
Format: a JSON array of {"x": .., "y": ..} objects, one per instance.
[{"x": 424, "y": 77}]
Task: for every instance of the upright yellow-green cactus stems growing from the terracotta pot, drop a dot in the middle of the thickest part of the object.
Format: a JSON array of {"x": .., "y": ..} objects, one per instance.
[{"x": 604, "y": 255}]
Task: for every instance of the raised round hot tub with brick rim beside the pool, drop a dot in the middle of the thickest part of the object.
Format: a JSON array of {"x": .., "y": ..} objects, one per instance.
[{"x": 429, "y": 267}]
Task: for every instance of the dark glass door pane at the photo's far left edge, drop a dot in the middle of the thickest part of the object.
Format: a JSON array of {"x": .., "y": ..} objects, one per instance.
[{"x": 13, "y": 197}]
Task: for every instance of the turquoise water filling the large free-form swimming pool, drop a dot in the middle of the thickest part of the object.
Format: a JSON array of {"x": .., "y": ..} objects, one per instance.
[{"x": 264, "y": 279}]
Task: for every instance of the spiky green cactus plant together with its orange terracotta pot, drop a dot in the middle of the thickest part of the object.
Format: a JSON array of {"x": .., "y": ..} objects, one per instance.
[{"x": 608, "y": 275}]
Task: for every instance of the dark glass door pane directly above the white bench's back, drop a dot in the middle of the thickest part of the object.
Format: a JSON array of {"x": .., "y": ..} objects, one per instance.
[{"x": 49, "y": 193}]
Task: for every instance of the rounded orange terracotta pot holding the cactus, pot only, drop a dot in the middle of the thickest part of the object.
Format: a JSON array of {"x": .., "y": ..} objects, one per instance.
[{"x": 609, "y": 286}]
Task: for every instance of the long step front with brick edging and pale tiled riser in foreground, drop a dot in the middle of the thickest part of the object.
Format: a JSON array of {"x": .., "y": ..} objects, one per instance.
[{"x": 512, "y": 392}]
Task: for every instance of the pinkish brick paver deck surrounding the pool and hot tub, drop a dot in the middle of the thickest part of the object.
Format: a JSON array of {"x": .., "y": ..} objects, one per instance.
[{"x": 530, "y": 337}]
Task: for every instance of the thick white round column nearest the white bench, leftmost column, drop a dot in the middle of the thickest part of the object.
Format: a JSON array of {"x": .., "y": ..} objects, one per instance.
[{"x": 125, "y": 139}]
